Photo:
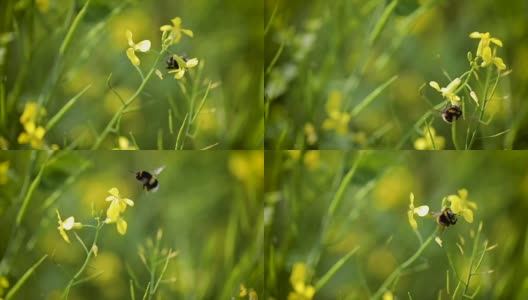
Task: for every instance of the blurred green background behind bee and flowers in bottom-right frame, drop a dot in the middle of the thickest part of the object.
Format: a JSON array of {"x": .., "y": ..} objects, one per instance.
[{"x": 372, "y": 214}]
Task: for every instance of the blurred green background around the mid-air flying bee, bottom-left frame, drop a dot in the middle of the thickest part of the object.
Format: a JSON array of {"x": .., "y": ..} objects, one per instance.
[{"x": 208, "y": 206}]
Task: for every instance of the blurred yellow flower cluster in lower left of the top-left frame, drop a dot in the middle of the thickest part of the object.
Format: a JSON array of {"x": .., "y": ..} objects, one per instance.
[{"x": 33, "y": 134}]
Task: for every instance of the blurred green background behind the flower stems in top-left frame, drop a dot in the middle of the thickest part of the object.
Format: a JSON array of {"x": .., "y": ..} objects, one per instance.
[{"x": 227, "y": 40}]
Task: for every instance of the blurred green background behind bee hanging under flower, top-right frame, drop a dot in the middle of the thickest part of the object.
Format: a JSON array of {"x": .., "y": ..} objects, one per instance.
[{"x": 314, "y": 50}]
